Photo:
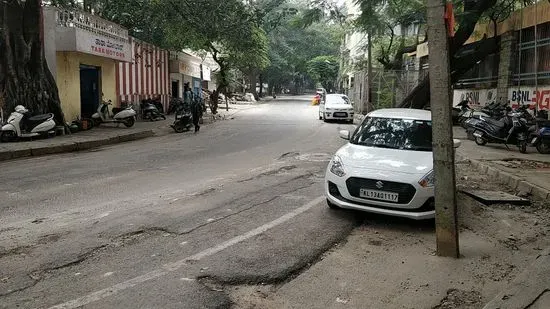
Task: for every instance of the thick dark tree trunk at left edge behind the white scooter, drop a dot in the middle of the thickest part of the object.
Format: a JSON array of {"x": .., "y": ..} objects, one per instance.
[{"x": 25, "y": 78}]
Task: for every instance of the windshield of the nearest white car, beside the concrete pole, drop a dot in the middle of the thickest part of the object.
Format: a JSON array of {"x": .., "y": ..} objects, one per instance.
[{"x": 394, "y": 133}]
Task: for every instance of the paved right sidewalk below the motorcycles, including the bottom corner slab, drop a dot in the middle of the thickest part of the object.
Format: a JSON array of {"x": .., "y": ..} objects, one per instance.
[{"x": 527, "y": 174}]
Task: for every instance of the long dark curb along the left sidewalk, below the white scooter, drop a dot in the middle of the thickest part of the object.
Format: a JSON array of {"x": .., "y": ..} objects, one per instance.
[{"x": 73, "y": 146}]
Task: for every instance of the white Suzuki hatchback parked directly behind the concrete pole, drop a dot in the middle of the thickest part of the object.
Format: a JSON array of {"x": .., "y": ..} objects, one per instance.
[{"x": 387, "y": 166}]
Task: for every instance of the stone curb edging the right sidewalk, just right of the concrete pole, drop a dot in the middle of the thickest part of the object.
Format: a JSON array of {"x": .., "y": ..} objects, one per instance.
[{"x": 516, "y": 183}]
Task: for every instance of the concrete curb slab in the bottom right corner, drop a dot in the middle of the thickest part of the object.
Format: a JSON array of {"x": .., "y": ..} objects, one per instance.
[{"x": 527, "y": 288}]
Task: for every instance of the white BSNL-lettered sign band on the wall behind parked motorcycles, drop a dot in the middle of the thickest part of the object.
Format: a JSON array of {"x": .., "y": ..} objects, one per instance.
[{"x": 539, "y": 98}]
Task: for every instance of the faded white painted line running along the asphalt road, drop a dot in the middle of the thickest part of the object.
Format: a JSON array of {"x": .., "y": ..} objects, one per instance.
[{"x": 171, "y": 267}]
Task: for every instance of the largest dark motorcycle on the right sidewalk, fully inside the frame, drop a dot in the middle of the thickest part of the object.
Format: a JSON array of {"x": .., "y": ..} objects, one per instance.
[{"x": 512, "y": 129}]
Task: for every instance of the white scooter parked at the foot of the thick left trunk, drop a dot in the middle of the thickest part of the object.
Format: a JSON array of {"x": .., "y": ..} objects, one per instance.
[{"x": 21, "y": 125}]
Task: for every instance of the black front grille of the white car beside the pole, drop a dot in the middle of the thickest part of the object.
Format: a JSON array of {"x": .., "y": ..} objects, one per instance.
[{"x": 406, "y": 191}]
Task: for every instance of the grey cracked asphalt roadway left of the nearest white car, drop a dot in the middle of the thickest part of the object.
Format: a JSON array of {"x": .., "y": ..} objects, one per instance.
[{"x": 166, "y": 222}]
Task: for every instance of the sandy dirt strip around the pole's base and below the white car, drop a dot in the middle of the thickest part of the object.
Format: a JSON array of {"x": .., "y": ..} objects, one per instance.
[{"x": 497, "y": 243}]
